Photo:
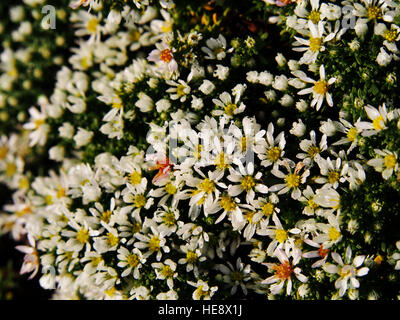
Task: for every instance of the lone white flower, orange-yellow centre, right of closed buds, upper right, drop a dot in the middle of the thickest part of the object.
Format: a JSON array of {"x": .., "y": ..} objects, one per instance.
[{"x": 319, "y": 90}]
